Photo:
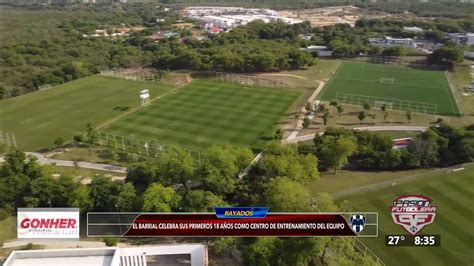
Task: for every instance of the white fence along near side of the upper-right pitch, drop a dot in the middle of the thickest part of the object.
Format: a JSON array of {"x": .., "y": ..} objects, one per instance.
[{"x": 395, "y": 104}]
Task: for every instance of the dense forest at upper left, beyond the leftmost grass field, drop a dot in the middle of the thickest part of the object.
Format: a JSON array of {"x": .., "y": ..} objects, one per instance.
[{"x": 49, "y": 47}]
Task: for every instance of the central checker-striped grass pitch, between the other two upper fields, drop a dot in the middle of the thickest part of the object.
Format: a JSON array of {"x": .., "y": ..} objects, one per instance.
[{"x": 206, "y": 112}]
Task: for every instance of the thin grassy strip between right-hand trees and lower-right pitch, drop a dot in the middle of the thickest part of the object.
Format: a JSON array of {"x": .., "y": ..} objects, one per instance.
[{"x": 345, "y": 180}]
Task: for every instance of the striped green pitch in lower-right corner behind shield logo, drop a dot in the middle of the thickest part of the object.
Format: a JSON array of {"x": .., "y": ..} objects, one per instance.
[{"x": 452, "y": 194}]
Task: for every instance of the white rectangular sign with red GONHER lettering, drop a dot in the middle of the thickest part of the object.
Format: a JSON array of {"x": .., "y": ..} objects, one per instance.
[{"x": 48, "y": 223}]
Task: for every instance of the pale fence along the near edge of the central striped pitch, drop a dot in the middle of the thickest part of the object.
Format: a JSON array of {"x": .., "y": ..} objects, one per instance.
[{"x": 150, "y": 148}]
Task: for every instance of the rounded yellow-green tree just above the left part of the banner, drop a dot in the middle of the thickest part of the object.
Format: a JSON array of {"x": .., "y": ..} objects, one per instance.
[{"x": 158, "y": 198}]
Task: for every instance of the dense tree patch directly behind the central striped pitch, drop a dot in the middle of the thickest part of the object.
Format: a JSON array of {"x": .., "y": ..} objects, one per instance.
[{"x": 255, "y": 47}]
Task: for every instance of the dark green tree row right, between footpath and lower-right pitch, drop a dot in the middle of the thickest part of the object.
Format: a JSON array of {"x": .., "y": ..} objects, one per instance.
[{"x": 439, "y": 146}]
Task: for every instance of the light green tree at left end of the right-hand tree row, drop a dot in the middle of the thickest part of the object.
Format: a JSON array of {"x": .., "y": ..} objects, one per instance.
[{"x": 335, "y": 150}]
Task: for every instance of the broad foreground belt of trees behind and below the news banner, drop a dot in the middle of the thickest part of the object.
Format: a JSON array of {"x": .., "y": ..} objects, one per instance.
[{"x": 178, "y": 182}]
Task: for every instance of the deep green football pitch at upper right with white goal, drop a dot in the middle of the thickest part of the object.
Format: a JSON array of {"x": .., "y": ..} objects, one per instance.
[{"x": 399, "y": 87}]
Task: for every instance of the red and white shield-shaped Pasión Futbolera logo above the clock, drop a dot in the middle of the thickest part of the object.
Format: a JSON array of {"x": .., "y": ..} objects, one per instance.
[{"x": 413, "y": 212}]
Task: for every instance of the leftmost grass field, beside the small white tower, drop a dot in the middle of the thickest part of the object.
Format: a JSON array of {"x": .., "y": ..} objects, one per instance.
[{"x": 38, "y": 118}]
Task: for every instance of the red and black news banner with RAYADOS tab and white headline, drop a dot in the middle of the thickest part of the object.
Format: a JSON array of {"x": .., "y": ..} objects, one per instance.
[{"x": 234, "y": 221}]
